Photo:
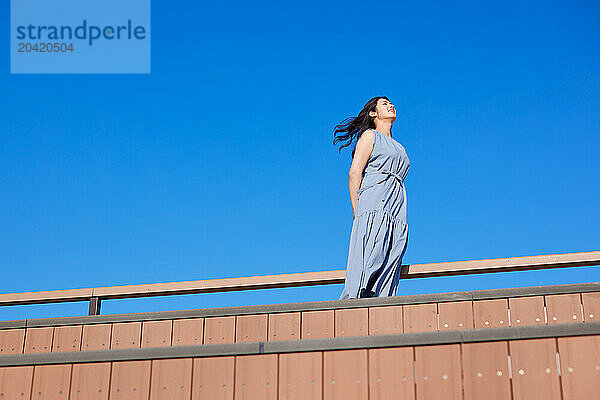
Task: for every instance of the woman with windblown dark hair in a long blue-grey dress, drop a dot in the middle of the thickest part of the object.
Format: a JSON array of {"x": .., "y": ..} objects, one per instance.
[{"x": 378, "y": 197}]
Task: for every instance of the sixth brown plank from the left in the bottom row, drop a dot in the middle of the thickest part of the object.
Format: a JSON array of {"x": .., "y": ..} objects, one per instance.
[{"x": 213, "y": 378}]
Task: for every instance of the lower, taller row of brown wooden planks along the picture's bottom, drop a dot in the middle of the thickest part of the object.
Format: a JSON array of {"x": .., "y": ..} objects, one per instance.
[{"x": 566, "y": 368}]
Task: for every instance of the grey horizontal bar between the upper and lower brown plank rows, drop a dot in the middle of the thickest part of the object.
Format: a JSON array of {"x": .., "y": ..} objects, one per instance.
[{"x": 304, "y": 345}]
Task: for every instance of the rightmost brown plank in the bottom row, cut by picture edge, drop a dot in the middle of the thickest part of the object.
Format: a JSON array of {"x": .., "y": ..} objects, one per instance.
[{"x": 580, "y": 367}]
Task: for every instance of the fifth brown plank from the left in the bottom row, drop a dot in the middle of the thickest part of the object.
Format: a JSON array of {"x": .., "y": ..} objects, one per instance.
[{"x": 171, "y": 379}]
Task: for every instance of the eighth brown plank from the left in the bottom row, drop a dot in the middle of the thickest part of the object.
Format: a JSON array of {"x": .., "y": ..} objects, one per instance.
[{"x": 300, "y": 376}]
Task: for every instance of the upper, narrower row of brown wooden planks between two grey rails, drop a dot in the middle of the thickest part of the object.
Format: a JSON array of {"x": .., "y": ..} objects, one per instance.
[{"x": 519, "y": 311}]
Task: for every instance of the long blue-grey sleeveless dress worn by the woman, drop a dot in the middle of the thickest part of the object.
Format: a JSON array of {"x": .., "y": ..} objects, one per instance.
[{"x": 379, "y": 231}]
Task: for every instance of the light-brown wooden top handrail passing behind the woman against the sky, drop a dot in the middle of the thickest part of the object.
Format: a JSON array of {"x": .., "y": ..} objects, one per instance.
[{"x": 298, "y": 279}]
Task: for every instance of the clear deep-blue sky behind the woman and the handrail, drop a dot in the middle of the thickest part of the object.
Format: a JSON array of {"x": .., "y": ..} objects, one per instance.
[{"x": 220, "y": 163}]
